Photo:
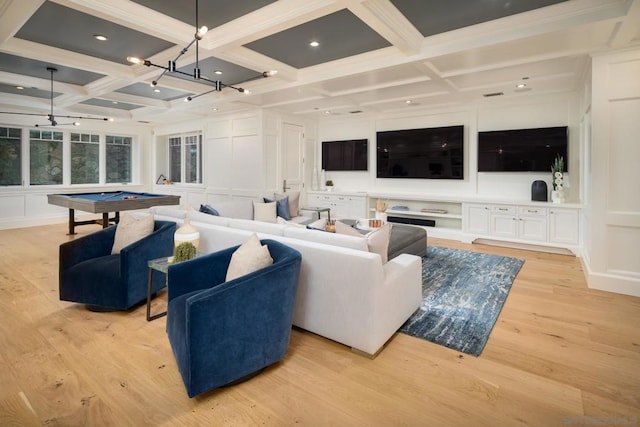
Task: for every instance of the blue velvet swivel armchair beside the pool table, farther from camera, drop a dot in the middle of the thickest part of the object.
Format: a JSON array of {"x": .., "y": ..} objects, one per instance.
[{"x": 91, "y": 275}]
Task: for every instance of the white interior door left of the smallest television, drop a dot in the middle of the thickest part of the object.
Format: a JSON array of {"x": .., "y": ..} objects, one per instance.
[{"x": 292, "y": 158}]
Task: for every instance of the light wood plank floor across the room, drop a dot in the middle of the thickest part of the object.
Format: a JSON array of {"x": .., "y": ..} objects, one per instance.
[{"x": 560, "y": 354}]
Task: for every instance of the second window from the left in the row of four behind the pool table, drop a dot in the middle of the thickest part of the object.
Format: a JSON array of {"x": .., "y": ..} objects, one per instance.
[{"x": 45, "y": 157}]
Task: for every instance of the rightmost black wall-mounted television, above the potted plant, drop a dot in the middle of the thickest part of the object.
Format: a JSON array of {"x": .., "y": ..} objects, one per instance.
[{"x": 521, "y": 150}]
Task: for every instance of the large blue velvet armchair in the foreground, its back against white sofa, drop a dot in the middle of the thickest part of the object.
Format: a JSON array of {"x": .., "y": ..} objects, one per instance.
[{"x": 224, "y": 332}]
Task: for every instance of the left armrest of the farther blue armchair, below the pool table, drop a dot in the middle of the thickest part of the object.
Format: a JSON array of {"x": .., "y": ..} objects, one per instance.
[{"x": 87, "y": 247}]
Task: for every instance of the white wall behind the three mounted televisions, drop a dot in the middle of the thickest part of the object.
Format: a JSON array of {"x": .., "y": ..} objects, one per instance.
[{"x": 544, "y": 111}]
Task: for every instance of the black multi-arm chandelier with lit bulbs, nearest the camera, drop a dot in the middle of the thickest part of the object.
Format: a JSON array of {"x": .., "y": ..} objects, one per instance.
[{"x": 171, "y": 66}]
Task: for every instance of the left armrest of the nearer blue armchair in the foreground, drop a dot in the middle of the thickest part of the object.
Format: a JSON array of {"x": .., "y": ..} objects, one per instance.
[{"x": 198, "y": 273}]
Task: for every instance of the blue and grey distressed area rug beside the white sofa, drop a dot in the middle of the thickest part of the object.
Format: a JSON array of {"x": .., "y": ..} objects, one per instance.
[{"x": 462, "y": 295}]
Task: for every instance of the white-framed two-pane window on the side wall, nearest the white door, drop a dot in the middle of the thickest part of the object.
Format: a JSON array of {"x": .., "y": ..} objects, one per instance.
[{"x": 185, "y": 159}]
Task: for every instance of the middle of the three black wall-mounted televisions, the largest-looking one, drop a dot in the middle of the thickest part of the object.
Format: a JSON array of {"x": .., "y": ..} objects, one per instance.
[{"x": 429, "y": 153}]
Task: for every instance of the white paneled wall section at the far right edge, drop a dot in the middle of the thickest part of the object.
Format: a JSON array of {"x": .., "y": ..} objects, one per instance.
[{"x": 612, "y": 257}]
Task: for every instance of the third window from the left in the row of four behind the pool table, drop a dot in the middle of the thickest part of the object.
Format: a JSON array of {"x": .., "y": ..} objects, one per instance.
[{"x": 85, "y": 158}]
